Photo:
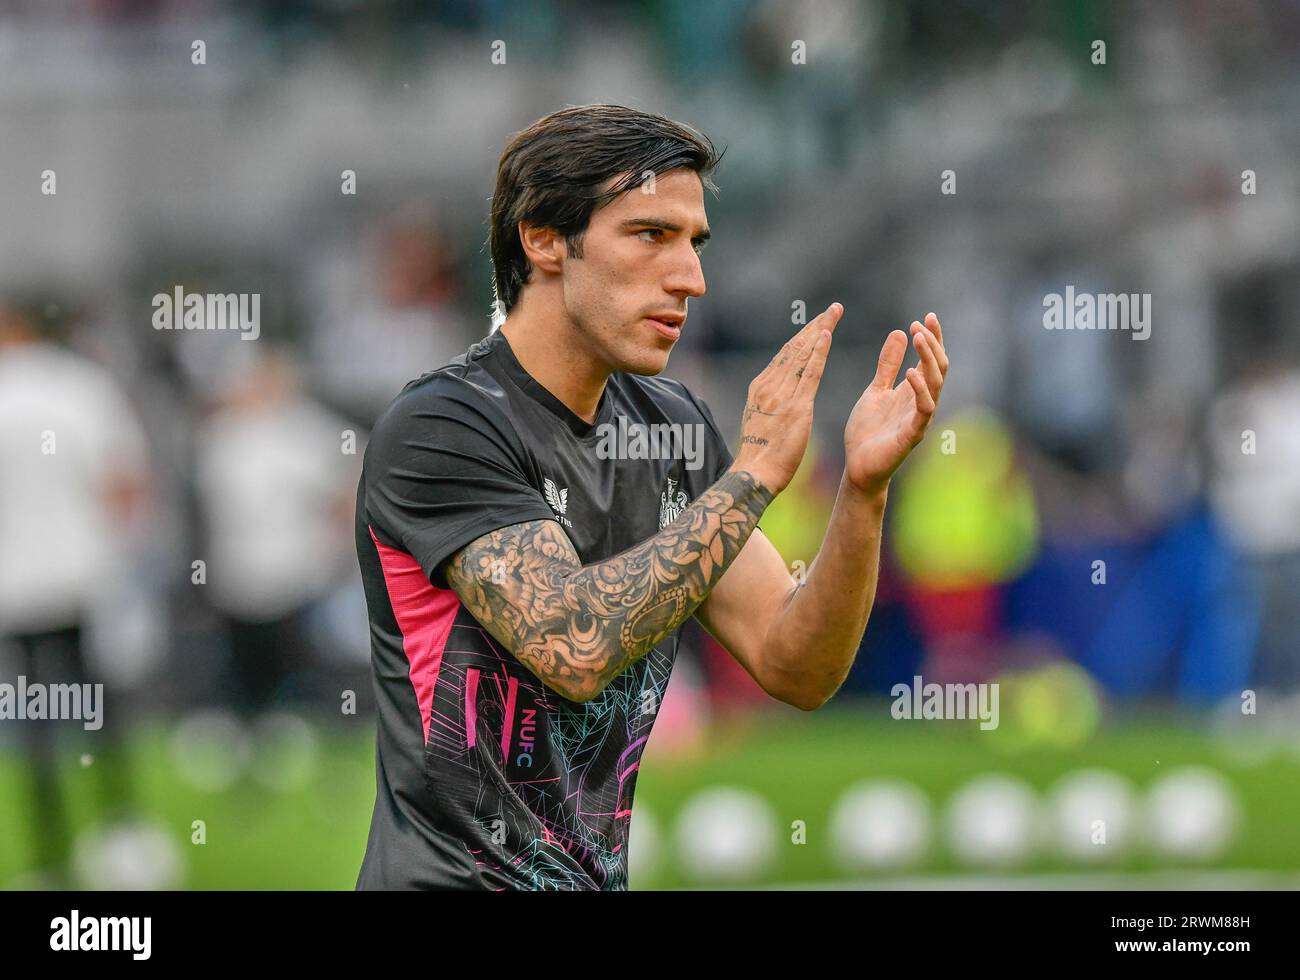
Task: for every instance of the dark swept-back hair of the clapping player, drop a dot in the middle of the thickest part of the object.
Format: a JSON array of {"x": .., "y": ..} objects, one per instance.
[{"x": 552, "y": 175}]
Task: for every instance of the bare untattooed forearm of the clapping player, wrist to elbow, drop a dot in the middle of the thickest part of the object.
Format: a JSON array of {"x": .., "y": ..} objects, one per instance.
[{"x": 812, "y": 643}]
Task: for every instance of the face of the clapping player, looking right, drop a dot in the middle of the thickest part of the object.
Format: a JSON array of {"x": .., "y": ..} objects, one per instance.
[{"x": 640, "y": 261}]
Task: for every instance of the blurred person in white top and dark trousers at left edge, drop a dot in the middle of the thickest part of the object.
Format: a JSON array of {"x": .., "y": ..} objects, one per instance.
[{"x": 73, "y": 470}]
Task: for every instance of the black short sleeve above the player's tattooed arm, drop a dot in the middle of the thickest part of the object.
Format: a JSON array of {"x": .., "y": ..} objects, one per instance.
[{"x": 444, "y": 469}]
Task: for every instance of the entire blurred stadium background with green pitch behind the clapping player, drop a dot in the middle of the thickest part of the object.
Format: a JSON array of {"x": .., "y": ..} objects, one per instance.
[{"x": 237, "y": 749}]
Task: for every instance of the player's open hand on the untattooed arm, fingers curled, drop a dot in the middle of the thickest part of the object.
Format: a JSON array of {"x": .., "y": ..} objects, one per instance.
[{"x": 890, "y": 420}]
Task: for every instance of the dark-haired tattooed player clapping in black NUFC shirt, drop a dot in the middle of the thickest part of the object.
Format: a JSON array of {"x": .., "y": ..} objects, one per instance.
[{"x": 526, "y": 591}]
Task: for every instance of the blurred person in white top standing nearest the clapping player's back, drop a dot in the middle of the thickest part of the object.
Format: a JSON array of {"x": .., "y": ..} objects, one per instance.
[{"x": 275, "y": 482}]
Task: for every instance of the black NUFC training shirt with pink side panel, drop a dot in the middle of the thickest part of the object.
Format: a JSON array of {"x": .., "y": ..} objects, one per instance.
[{"x": 486, "y": 778}]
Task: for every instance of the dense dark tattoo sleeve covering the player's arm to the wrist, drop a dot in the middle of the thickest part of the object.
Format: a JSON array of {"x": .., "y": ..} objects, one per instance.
[{"x": 579, "y": 627}]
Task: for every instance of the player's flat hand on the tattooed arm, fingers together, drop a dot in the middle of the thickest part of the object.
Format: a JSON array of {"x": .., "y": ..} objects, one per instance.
[{"x": 778, "y": 419}]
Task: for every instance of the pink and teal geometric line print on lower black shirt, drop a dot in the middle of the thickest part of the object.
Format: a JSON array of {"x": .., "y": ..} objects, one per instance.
[{"x": 551, "y": 797}]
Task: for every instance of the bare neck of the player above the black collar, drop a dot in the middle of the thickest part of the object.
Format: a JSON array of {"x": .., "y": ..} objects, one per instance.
[{"x": 551, "y": 352}]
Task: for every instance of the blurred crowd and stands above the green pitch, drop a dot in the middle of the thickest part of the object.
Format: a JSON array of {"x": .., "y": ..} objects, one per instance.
[{"x": 176, "y": 508}]
